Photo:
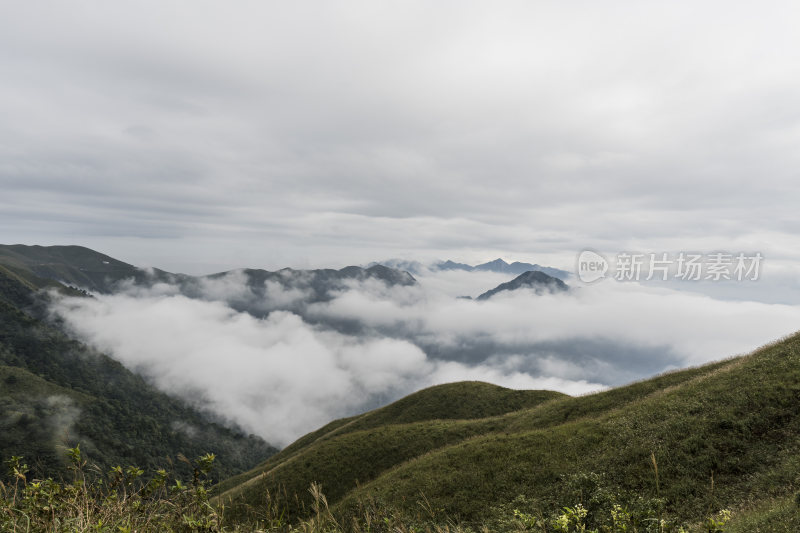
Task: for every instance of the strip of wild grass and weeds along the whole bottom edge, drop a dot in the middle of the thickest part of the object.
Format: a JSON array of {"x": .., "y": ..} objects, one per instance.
[{"x": 121, "y": 501}]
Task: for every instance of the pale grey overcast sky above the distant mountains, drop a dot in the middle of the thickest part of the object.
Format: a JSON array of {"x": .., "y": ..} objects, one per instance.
[{"x": 198, "y": 136}]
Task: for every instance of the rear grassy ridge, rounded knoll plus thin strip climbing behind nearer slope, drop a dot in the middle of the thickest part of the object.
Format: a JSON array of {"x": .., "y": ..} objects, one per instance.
[{"x": 344, "y": 452}]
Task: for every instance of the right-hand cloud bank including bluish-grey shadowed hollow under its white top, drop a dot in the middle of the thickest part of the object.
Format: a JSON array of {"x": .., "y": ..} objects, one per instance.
[{"x": 616, "y": 332}]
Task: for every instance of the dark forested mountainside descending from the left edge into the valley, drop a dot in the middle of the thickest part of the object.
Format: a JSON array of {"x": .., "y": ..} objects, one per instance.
[{"x": 56, "y": 392}]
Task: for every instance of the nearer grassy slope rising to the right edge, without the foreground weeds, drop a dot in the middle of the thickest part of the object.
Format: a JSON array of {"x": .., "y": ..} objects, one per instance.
[{"x": 739, "y": 421}]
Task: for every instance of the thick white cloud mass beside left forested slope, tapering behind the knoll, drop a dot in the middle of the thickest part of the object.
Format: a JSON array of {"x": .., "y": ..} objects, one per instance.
[{"x": 277, "y": 376}]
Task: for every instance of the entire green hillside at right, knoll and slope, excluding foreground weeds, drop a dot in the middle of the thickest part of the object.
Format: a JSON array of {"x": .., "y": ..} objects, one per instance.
[{"x": 736, "y": 420}]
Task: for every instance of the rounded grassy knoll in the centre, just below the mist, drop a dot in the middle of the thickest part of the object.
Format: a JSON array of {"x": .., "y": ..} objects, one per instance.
[{"x": 357, "y": 449}]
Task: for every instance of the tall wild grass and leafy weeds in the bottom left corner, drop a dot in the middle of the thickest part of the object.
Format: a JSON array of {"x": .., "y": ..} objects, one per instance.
[{"x": 119, "y": 502}]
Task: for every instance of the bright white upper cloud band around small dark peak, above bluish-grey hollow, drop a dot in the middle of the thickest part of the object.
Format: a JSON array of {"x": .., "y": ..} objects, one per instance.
[{"x": 696, "y": 326}]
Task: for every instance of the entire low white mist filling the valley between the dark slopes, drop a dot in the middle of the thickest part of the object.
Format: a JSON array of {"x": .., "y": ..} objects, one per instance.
[{"x": 280, "y": 364}]
